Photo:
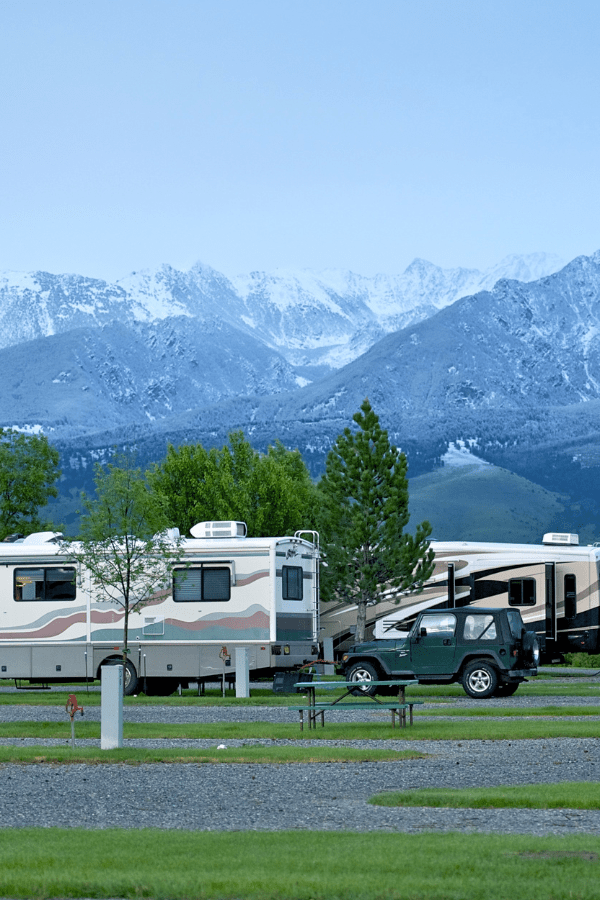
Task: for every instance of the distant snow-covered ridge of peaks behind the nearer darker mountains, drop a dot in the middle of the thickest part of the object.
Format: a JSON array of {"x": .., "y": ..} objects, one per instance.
[{"x": 317, "y": 321}]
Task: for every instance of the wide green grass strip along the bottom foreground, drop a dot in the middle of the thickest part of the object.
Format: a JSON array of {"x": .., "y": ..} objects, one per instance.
[{"x": 298, "y": 865}]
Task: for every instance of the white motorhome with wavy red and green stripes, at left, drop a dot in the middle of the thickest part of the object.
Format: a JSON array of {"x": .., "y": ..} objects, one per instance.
[{"x": 261, "y": 594}]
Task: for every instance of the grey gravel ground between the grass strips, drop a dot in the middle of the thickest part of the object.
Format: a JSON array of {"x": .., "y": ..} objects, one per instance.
[{"x": 313, "y": 796}]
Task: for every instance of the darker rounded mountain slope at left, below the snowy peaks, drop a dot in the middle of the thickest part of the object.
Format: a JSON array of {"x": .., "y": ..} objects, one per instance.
[{"x": 118, "y": 375}]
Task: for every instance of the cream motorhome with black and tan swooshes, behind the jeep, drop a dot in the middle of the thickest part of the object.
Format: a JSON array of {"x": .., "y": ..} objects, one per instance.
[{"x": 555, "y": 585}]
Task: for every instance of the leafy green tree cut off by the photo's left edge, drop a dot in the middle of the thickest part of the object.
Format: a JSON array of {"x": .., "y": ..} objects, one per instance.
[{"x": 28, "y": 472}]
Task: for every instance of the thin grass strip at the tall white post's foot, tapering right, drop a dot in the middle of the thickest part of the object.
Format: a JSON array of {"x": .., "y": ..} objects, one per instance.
[{"x": 258, "y": 755}]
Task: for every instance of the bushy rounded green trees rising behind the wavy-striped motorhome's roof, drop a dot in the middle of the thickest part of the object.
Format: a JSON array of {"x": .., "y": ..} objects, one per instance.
[{"x": 273, "y": 492}]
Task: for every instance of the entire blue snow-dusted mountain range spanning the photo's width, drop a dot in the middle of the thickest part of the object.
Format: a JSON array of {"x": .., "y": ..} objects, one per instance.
[{"x": 166, "y": 348}]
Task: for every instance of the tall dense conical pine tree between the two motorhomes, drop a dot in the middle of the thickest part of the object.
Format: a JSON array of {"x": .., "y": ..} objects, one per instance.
[{"x": 365, "y": 493}]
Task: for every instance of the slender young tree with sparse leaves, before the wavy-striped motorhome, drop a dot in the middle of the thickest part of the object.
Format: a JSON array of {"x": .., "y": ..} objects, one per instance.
[{"x": 124, "y": 543}]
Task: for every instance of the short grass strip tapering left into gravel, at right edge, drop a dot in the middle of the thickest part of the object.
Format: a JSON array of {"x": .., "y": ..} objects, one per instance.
[{"x": 566, "y": 795}]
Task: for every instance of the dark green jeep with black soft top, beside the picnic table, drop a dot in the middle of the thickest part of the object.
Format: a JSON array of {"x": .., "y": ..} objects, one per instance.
[{"x": 488, "y": 651}]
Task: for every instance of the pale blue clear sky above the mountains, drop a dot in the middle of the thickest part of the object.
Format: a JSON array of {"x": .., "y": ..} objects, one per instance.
[{"x": 253, "y": 134}]
